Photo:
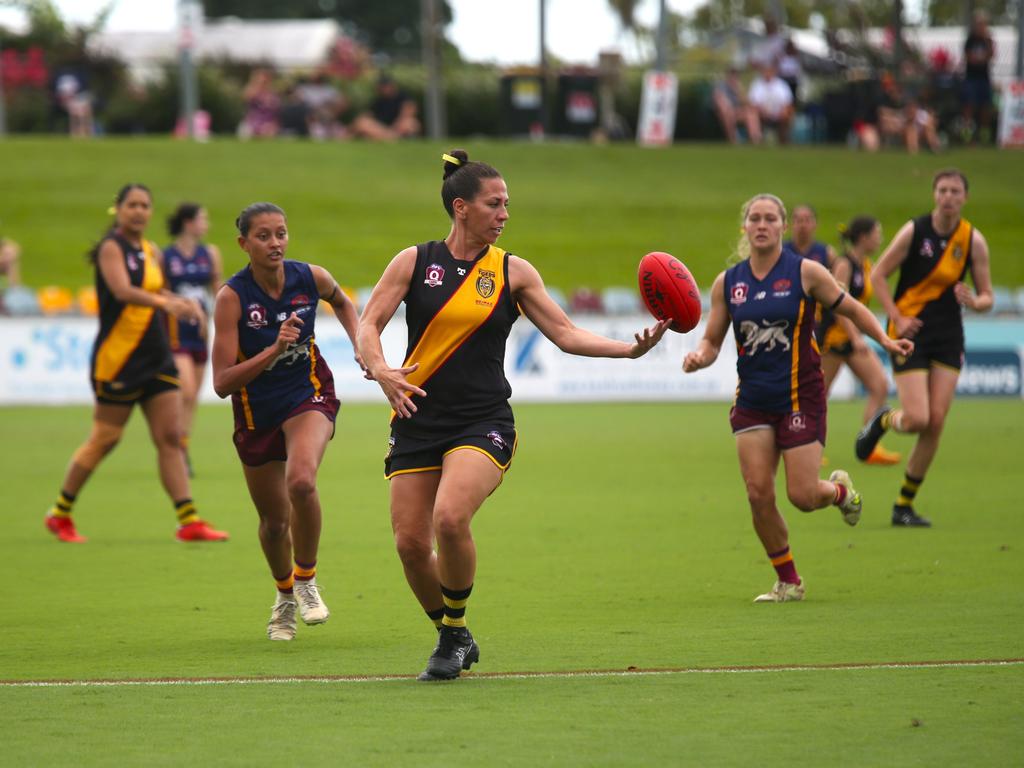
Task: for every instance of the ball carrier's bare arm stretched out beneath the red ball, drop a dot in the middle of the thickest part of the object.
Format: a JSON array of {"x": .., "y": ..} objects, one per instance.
[{"x": 529, "y": 291}]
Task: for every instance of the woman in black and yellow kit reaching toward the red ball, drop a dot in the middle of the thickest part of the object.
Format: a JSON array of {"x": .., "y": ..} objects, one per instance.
[{"x": 453, "y": 433}]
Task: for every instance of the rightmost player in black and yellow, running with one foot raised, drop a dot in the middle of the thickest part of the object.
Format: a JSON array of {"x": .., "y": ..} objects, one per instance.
[{"x": 933, "y": 254}]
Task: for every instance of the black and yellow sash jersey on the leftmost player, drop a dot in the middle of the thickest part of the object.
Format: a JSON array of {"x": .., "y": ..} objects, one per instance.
[{"x": 132, "y": 347}]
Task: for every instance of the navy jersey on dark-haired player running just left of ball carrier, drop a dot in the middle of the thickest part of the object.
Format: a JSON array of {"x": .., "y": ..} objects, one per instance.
[{"x": 300, "y": 373}]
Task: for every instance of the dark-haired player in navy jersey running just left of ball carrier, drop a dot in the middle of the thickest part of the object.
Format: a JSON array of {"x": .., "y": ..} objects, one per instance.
[{"x": 266, "y": 357}]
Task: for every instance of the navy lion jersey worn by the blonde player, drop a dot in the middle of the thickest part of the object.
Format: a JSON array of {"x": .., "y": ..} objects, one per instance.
[{"x": 779, "y": 364}]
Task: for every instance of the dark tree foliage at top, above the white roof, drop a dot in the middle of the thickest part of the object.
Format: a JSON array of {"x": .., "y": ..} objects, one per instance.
[{"x": 393, "y": 26}]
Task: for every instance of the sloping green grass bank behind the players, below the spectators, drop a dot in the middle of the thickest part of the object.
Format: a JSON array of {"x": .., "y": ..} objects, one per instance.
[{"x": 584, "y": 216}]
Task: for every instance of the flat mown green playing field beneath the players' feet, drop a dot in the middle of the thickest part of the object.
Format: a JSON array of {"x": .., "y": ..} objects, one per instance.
[{"x": 620, "y": 540}]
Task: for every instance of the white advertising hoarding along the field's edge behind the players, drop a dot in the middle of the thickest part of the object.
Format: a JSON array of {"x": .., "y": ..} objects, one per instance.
[{"x": 47, "y": 362}]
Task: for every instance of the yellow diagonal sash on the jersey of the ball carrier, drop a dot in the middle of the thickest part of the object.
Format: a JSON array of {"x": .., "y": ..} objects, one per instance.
[{"x": 470, "y": 308}]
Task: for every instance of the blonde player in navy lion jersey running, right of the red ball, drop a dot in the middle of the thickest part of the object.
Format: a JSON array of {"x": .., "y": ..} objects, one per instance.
[{"x": 780, "y": 412}]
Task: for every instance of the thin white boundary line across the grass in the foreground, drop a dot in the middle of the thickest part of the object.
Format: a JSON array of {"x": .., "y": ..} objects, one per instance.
[{"x": 516, "y": 675}]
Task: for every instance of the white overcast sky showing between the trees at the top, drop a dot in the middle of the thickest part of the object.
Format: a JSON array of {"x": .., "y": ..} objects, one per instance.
[{"x": 505, "y": 31}]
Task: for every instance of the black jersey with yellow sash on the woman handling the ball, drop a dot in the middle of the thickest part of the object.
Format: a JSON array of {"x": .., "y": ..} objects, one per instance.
[{"x": 459, "y": 316}]
